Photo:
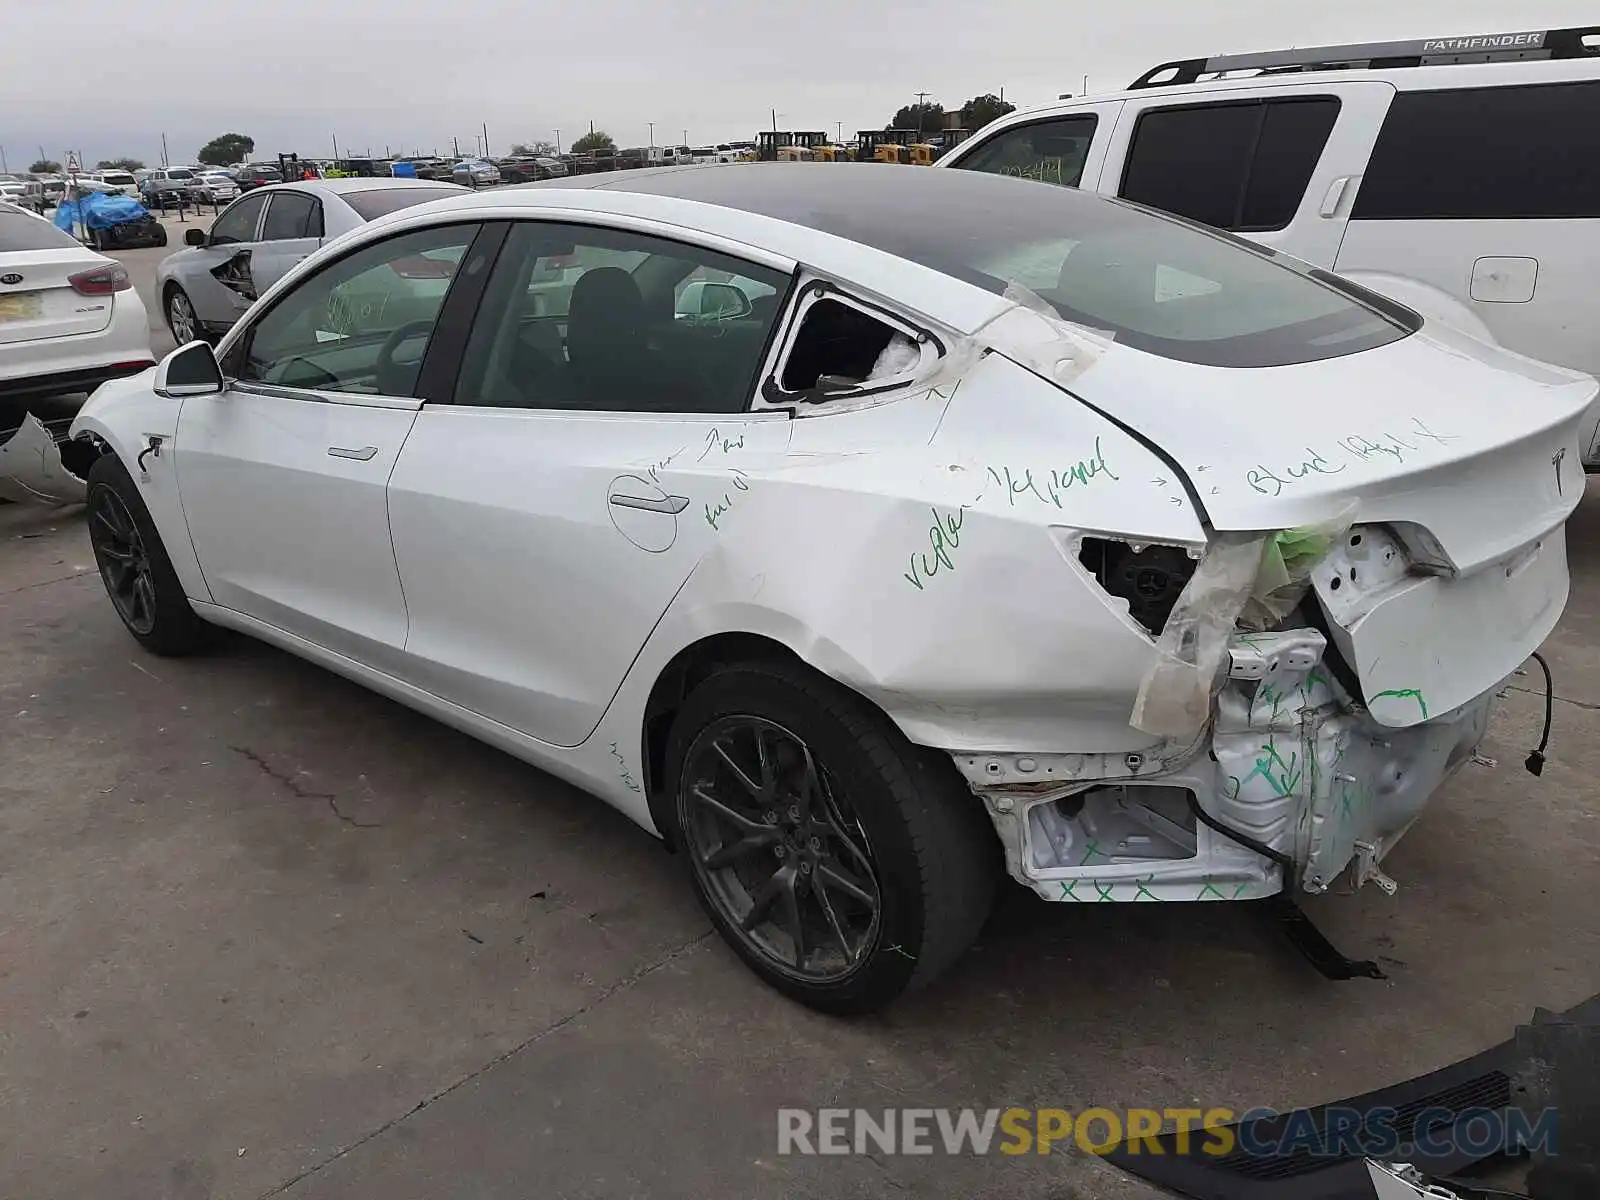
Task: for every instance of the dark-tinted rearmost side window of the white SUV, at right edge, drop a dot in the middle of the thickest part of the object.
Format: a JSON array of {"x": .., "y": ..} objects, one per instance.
[{"x": 1521, "y": 153}]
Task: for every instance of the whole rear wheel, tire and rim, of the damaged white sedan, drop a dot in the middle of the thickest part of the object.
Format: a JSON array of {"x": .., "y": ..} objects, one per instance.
[{"x": 842, "y": 863}]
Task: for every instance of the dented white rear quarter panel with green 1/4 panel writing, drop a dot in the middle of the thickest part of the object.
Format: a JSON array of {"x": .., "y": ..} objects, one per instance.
[{"x": 924, "y": 553}]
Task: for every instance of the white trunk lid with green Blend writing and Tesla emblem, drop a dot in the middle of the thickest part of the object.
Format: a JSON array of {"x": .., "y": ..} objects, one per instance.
[{"x": 1455, "y": 463}]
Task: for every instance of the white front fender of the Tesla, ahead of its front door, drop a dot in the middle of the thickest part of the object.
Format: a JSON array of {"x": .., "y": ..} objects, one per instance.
[{"x": 124, "y": 415}]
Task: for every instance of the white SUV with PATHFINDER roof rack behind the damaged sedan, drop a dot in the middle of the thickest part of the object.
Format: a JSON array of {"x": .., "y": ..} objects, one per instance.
[{"x": 1470, "y": 191}]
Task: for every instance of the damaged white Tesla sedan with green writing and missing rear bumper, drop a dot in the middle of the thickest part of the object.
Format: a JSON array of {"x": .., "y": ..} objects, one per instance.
[{"x": 870, "y": 558}]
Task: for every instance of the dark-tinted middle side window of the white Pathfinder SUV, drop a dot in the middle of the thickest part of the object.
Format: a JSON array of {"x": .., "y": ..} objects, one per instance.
[{"x": 1234, "y": 166}]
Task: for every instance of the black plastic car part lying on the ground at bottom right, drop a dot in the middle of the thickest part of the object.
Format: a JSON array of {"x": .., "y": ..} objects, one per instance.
[{"x": 1319, "y": 1167}]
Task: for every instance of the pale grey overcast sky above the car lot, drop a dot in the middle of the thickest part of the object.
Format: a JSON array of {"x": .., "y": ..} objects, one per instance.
[{"x": 412, "y": 74}]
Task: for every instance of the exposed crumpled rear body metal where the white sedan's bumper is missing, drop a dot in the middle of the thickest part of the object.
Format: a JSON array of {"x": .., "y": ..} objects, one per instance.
[{"x": 1294, "y": 780}]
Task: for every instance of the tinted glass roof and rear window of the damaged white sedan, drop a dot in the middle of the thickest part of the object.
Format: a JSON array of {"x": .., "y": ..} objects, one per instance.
[{"x": 1154, "y": 282}]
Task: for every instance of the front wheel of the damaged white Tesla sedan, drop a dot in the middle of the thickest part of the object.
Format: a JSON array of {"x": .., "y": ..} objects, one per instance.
[{"x": 140, "y": 578}]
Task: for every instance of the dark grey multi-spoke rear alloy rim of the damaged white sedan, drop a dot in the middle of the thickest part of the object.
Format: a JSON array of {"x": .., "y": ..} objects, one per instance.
[{"x": 778, "y": 849}]
